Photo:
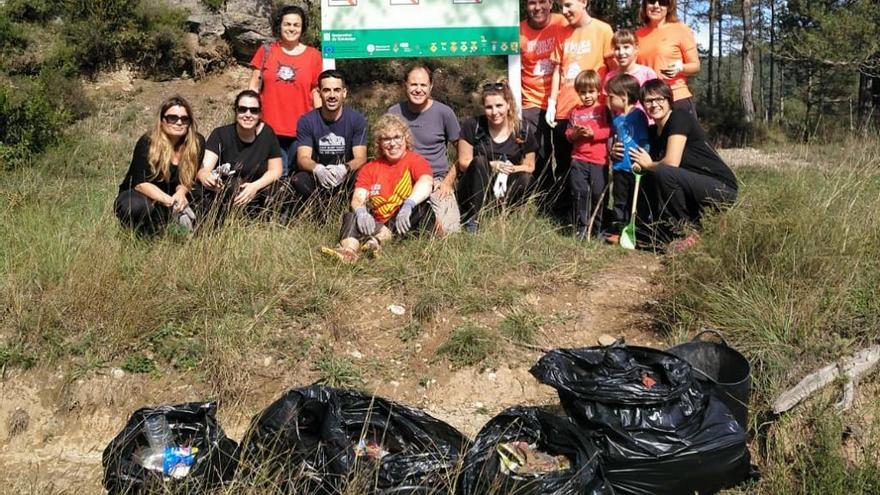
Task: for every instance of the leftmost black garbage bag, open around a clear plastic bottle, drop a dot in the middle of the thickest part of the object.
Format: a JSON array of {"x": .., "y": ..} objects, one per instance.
[{"x": 192, "y": 424}]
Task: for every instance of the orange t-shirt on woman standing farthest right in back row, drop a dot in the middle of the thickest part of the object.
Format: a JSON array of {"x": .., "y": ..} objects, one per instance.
[{"x": 663, "y": 45}]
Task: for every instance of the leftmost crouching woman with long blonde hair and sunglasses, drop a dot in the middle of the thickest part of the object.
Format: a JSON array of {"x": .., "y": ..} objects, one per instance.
[{"x": 162, "y": 170}]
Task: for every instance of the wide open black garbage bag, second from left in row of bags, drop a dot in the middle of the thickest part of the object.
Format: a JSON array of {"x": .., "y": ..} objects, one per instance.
[{"x": 318, "y": 439}]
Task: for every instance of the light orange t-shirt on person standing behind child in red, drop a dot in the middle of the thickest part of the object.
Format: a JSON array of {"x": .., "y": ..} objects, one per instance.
[{"x": 583, "y": 49}]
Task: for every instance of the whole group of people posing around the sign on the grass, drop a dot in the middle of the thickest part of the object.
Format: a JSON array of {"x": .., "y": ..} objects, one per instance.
[{"x": 590, "y": 98}]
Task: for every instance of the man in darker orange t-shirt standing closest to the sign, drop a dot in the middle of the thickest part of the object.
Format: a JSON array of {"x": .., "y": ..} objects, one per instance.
[{"x": 539, "y": 34}]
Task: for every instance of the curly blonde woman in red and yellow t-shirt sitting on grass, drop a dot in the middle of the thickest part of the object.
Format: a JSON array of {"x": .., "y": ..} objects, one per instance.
[{"x": 390, "y": 193}]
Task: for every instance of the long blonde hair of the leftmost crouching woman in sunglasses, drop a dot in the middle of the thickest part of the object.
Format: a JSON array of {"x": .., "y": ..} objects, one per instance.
[{"x": 162, "y": 150}]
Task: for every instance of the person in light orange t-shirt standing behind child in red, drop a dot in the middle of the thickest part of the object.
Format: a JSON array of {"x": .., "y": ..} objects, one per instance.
[{"x": 587, "y": 47}]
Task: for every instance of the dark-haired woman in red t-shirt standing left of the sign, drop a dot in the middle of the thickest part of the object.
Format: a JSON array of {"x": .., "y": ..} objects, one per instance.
[{"x": 288, "y": 71}]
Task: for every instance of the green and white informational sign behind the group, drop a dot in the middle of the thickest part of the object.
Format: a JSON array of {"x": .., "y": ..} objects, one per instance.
[{"x": 419, "y": 28}]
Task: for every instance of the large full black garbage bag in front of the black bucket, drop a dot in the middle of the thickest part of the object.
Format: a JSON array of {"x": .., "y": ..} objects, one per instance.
[{"x": 658, "y": 430}]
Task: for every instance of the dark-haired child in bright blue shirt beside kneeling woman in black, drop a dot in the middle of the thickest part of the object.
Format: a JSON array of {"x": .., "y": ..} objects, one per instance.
[{"x": 631, "y": 130}]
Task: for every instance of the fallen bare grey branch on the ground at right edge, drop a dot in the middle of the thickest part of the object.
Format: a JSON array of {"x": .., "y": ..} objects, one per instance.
[{"x": 851, "y": 369}]
